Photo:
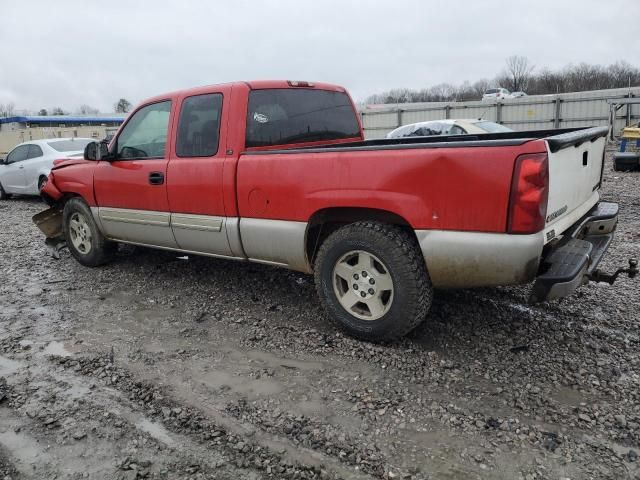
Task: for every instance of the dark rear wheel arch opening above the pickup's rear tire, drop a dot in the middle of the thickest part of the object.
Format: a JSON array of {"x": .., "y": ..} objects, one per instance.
[{"x": 325, "y": 221}]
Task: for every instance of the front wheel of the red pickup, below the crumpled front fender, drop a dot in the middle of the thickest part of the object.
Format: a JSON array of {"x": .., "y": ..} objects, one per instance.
[{"x": 101, "y": 250}]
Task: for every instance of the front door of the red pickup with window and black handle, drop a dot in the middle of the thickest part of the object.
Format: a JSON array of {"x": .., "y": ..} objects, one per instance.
[{"x": 130, "y": 188}]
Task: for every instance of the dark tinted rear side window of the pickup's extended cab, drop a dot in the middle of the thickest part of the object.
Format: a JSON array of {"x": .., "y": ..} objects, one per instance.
[{"x": 199, "y": 126}]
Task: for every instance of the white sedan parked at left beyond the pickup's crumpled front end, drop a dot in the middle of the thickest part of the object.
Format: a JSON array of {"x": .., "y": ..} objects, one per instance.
[{"x": 27, "y": 166}]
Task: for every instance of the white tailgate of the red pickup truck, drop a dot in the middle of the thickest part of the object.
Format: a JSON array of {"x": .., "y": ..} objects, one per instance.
[{"x": 575, "y": 170}]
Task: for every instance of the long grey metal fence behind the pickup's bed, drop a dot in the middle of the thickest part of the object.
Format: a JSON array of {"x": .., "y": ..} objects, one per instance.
[{"x": 526, "y": 113}]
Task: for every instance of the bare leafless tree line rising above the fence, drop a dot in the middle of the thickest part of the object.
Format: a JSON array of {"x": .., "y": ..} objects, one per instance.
[{"x": 520, "y": 75}]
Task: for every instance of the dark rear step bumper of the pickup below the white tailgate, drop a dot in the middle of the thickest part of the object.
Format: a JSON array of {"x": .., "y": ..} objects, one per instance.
[{"x": 574, "y": 259}]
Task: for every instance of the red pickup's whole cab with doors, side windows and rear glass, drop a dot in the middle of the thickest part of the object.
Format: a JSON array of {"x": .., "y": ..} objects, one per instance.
[{"x": 168, "y": 178}]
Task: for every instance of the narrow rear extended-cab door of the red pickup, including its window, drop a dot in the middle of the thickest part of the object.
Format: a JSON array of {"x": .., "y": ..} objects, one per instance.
[{"x": 195, "y": 186}]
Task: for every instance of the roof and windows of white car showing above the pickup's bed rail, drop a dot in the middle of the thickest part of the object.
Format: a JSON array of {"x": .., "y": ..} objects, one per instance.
[{"x": 461, "y": 126}]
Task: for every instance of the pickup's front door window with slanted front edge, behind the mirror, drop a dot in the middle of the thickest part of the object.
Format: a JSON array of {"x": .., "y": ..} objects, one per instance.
[{"x": 145, "y": 134}]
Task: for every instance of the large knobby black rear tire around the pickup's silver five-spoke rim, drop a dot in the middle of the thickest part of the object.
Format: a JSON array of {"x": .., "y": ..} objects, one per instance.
[{"x": 400, "y": 254}]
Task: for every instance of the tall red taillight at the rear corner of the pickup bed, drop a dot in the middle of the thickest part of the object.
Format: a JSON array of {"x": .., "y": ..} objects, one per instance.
[{"x": 529, "y": 194}]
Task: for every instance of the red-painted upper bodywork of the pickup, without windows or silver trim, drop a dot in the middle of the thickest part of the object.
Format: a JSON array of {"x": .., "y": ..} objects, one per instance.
[{"x": 465, "y": 188}]
